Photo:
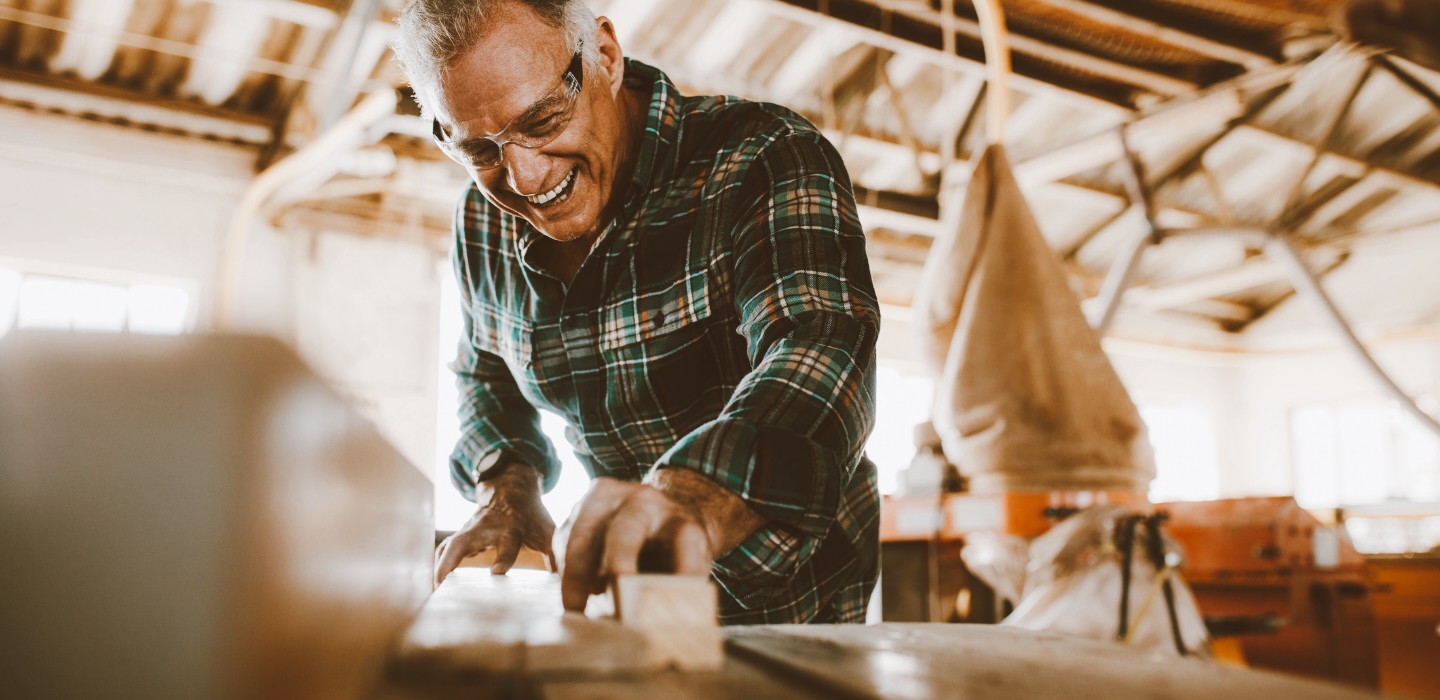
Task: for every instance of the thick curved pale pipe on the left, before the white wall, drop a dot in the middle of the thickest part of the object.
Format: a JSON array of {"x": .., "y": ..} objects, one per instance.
[{"x": 351, "y": 132}]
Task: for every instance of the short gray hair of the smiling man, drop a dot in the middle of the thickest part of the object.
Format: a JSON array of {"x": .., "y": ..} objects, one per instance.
[{"x": 434, "y": 32}]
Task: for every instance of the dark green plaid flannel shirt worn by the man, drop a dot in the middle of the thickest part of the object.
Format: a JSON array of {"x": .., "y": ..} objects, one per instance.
[{"x": 724, "y": 323}]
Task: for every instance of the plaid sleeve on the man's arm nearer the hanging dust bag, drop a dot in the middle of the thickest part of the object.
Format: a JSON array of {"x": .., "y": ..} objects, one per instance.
[{"x": 794, "y": 431}]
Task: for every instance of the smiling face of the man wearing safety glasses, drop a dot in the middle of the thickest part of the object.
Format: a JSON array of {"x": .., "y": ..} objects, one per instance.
[{"x": 509, "y": 80}]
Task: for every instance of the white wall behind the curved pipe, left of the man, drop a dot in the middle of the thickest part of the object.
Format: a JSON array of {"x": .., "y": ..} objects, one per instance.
[{"x": 84, "y": 198}]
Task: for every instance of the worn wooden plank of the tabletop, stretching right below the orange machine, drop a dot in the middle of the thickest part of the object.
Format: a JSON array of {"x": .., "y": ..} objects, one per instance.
[{"x": 1000, "y": 663}]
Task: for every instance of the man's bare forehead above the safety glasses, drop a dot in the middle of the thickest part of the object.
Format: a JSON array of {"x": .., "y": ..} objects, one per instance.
[{"x": 518, "y": 61}]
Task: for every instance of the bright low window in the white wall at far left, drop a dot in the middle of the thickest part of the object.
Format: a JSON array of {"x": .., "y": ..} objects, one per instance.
[{"x": 71, "y": 303}]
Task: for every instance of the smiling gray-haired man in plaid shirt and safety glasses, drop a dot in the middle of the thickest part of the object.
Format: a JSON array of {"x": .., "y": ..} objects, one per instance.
[{"x": 685, "y": 282}]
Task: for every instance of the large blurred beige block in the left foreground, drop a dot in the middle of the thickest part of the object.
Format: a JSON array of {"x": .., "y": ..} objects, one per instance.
[{"x": 197, "y": 518}]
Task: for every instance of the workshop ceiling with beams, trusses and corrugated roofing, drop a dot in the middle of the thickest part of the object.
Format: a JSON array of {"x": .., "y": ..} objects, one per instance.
[{"x": 1228, "y": 106}]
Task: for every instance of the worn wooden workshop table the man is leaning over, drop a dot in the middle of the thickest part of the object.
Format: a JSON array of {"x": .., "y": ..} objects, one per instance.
[{"x": 485, "y": 636}]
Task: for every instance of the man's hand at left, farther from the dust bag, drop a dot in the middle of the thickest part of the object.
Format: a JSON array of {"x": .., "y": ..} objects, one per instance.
[{"x": 510, "y": 516}]
